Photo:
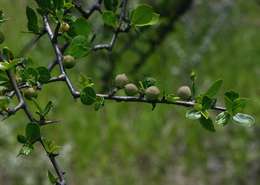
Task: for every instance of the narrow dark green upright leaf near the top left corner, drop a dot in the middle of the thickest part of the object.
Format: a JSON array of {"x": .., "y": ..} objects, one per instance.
[{"x": 32, "y": 24}]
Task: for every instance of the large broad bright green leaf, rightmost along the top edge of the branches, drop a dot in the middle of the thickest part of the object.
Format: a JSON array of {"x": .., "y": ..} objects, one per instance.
[{"x": 144, "y": 15}]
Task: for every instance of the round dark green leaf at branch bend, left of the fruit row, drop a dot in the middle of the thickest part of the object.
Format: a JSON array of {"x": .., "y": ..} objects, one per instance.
[{"x": 88, "y": 96}]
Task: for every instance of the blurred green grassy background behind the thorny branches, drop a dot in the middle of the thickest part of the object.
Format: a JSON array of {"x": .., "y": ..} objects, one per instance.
[{"x": 129, "y": 144}]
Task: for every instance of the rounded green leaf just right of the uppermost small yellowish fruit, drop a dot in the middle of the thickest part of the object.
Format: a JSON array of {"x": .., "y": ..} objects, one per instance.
[{"x": 81, "y": 27}]
